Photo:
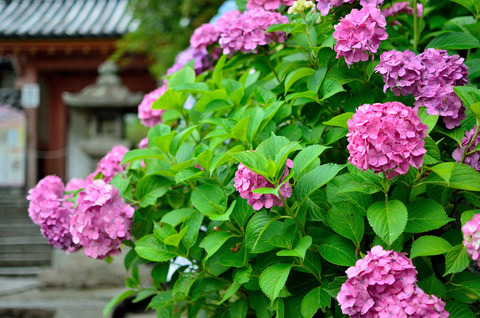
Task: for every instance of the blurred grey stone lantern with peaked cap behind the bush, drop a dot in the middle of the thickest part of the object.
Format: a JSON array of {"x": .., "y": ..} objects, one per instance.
[{"x": 97, "y": 119}]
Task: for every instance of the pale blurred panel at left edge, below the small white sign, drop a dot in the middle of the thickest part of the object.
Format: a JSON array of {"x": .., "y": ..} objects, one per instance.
[{"x": 12, "y": 147}]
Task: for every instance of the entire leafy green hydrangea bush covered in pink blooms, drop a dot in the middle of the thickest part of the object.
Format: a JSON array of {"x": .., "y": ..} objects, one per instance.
[{"x": 326, "y": 164}]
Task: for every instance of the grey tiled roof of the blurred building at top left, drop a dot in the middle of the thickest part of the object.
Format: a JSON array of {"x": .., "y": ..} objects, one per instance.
[{"x": 65, "y": 18}]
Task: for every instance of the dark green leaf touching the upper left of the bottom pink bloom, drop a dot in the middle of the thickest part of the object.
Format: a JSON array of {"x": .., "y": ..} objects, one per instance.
[{"x": 338, "y": 250}]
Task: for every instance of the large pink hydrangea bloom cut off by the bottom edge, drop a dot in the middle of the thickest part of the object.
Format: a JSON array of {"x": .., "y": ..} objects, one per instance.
[{"x": 383, "y": 284}]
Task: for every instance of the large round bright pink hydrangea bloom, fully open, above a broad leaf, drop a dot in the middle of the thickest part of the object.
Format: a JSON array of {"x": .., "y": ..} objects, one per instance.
[{"x": 386, "y": 138}]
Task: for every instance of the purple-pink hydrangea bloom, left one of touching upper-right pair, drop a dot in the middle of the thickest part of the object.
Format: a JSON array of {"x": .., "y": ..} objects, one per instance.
[{"x": 401, "y": 71}]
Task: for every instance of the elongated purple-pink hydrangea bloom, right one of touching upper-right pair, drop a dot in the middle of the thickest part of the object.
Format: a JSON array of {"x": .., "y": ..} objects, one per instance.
[{"x": 441, "y": 73}]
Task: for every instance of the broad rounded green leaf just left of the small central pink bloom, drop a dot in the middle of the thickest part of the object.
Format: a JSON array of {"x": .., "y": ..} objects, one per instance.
[{"x": 209, "y": 199}]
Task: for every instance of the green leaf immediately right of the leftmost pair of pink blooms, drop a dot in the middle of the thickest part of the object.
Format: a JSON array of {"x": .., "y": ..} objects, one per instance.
[{"x": 150, "y": 188}]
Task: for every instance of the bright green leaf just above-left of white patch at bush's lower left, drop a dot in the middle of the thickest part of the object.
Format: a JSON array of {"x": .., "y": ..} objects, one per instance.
[{"x": 151, "y": 248}]
